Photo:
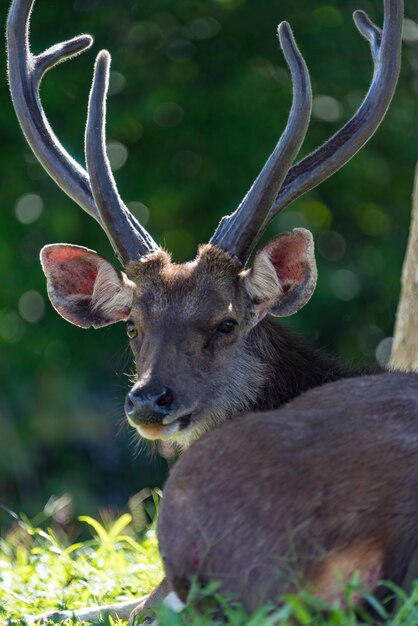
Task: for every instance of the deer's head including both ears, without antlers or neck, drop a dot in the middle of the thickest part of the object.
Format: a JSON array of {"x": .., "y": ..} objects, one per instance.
[{"x": 188, "y": 325}]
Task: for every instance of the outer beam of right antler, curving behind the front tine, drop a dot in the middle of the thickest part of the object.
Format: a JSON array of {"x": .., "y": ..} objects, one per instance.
[{"x": 328, "y": 158}]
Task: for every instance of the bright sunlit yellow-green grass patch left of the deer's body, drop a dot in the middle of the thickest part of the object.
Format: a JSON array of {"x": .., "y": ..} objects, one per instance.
[{"x": 41, "y": 570}]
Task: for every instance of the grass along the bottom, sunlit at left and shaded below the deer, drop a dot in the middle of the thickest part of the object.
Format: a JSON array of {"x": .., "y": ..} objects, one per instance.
[{"x": 40, "y": 570}]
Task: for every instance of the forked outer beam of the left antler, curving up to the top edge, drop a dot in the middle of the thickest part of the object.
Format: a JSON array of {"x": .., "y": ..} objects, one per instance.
[{"x": 25, "y": 75}]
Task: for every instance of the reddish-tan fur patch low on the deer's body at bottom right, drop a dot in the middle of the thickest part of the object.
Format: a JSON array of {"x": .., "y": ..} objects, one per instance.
[{"x": 364, "y": 559}]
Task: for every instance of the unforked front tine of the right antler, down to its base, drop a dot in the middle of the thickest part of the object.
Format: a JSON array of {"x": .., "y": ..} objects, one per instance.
[{"x": 238, "y": 233}]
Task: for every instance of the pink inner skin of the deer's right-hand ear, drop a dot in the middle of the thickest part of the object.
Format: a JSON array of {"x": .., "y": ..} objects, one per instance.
[{"x": 288, "y": 254}]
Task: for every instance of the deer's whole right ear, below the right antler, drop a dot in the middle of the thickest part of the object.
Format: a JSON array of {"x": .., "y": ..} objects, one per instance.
[{"x": 283, "y": 275}]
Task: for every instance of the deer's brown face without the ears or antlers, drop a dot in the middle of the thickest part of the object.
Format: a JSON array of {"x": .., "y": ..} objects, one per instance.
[{"x": 187, "y": 328}]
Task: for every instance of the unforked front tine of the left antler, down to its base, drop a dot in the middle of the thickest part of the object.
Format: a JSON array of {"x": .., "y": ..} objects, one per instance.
[{"x": 127, "y": 236}]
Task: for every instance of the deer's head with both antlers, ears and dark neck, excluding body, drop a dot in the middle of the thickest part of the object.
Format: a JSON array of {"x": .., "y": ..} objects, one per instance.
[{"x": 204, "y": 339}]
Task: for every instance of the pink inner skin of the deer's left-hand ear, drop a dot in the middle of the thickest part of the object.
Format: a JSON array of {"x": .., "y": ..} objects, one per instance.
[{"x": 73, "y": 270}]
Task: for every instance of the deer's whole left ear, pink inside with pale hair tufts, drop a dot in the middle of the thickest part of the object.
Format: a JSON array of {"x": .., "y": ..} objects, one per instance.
[{"x": 85, "y": 288}]
